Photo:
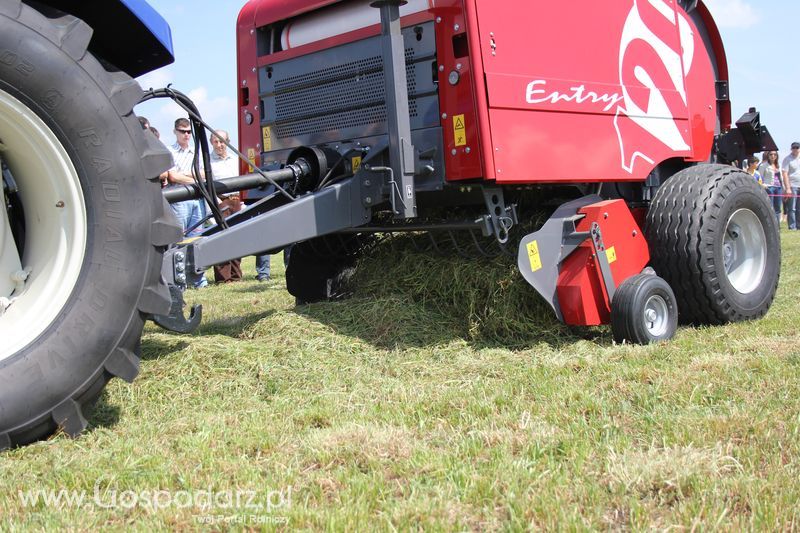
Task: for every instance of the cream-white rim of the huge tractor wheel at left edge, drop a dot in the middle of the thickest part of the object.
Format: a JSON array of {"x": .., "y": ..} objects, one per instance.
[{"x": 55, "y": 224}]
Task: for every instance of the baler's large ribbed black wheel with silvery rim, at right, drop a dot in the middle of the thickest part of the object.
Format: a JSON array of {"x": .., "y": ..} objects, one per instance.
[{"x": 713, "y": 236}]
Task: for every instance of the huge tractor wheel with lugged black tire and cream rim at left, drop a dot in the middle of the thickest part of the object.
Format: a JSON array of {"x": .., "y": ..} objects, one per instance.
[{"x": 88, "y": 223}]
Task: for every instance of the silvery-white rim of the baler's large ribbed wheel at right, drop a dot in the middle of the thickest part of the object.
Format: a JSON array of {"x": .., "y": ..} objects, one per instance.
[{"x": 744, "y": 251}]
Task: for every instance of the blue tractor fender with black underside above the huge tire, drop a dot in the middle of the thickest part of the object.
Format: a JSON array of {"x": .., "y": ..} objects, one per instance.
[{"x": 128, "y": 34}]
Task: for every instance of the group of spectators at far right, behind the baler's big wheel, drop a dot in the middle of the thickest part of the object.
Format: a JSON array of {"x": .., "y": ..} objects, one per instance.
[{"x": 781, "y": 179}]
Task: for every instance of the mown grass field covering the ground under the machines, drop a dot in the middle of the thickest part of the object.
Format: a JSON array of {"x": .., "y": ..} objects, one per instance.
[{"x": 417, "y": 405}]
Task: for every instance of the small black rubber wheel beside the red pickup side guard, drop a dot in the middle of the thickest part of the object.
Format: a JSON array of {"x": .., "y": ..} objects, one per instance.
[{"x": 644, "y": 310}]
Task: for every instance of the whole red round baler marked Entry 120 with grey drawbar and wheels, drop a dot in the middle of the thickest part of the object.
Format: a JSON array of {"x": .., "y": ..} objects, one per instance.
[{"x": 450, "y": 115}]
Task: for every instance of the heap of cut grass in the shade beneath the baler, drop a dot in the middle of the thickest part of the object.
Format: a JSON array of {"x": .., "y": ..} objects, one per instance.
[{"x": 408, "y": 295}]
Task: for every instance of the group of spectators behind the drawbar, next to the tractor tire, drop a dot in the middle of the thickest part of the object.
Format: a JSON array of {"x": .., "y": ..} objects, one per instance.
[{"x": 192, "y": 214}]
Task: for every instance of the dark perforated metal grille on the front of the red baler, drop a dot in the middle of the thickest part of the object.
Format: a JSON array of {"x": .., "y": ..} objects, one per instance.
[{"x": 348, "y": 95}]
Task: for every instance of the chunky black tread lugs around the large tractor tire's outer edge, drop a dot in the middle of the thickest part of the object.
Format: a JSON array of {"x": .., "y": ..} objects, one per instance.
[{"x": 72, "y": 35}]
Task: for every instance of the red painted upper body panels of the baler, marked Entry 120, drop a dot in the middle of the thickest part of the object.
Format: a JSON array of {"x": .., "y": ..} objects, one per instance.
[{"x": 627, "y": 85}]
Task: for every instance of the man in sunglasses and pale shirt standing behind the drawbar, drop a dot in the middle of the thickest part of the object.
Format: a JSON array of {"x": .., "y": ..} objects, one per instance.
[{"x": 191, "y": 212}]
